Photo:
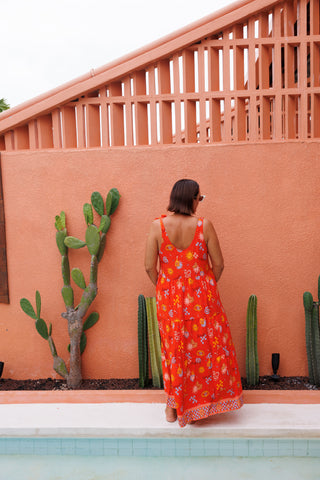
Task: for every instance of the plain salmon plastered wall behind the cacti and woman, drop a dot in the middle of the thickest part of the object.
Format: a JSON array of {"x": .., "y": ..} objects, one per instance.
[{"x": 263, "y": 200}]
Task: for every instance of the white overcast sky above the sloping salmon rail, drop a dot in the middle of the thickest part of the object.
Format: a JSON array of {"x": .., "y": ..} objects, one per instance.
[{"x": 45, "y": 43}]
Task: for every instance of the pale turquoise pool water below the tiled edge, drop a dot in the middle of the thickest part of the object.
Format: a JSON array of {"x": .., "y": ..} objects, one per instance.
[{"x": 23, "y": 467}]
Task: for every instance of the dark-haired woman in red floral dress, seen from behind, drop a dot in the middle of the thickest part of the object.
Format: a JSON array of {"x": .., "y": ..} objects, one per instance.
[{"x": 200, "y": 370}]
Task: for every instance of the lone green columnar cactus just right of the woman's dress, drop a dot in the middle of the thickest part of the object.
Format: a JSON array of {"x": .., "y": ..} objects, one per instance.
[{"x": 252, "y": 360}]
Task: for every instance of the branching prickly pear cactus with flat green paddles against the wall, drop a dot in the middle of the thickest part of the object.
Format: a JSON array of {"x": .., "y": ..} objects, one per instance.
[{"x": 95, "y": 240}]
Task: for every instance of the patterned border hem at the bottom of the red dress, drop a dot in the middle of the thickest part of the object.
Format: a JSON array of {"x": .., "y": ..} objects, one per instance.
[{"x": 206, "y": 410}]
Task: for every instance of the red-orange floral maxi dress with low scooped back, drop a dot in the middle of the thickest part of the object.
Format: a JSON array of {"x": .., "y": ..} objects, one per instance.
[{"x": 200, "y": 370}]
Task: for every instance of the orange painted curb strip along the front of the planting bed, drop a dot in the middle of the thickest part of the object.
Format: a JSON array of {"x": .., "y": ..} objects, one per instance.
[{"x": 147, "y": 396}]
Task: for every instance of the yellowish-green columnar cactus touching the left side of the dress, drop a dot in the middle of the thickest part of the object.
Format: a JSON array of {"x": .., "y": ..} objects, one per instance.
[{"x": 154, "y": 342}]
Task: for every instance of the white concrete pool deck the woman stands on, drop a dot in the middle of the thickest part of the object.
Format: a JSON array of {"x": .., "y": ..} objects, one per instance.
[{"x": 146, "y": 420}]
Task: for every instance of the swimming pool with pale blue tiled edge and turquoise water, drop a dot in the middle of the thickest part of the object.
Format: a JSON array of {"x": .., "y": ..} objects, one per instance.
[{"x": 155, "y": 459}]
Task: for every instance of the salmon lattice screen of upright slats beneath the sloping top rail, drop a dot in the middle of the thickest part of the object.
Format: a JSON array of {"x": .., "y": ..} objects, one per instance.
[{"x": 255, "y": 80}]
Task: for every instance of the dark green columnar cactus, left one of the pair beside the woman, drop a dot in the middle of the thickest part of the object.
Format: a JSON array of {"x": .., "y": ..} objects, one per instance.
[{"x": 142, "y": 342}]
